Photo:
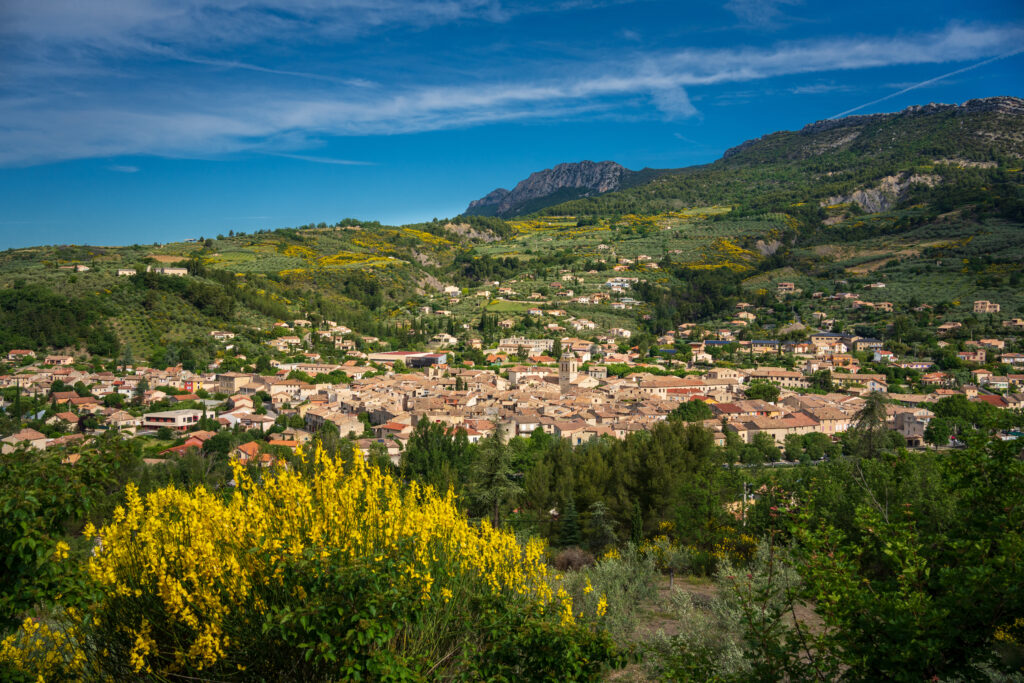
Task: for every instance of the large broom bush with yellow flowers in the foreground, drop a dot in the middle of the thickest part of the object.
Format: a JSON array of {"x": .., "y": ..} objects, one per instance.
[{"x": 343, "y": 574}]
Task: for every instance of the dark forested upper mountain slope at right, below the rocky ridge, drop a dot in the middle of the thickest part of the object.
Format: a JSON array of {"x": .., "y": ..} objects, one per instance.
[{"x": 975, "y": 144}]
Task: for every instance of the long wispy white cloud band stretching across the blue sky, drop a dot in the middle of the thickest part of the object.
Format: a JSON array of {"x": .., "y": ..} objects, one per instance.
[{"x": 212, "y": 113}]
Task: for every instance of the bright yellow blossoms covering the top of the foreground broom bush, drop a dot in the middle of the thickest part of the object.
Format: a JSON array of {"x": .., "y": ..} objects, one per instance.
[{"x": 203, "y": 563}]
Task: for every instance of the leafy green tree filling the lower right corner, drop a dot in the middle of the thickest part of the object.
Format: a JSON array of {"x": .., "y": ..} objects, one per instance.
[{"x": 887, "y": 583}]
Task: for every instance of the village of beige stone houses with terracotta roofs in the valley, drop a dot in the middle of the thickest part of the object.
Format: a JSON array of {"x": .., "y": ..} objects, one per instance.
[{"x": 574, "y": 389}]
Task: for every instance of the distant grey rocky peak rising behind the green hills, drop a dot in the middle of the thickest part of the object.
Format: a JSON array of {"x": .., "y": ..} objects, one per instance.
[{"x": 562, "y": 184}]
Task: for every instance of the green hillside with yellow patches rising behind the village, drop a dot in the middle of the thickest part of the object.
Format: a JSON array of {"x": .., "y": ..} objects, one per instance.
[{"x": 930, "y": 201}]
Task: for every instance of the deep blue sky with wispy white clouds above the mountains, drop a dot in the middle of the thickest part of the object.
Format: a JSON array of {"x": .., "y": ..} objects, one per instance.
[{"x": 138, "y": 121}]
